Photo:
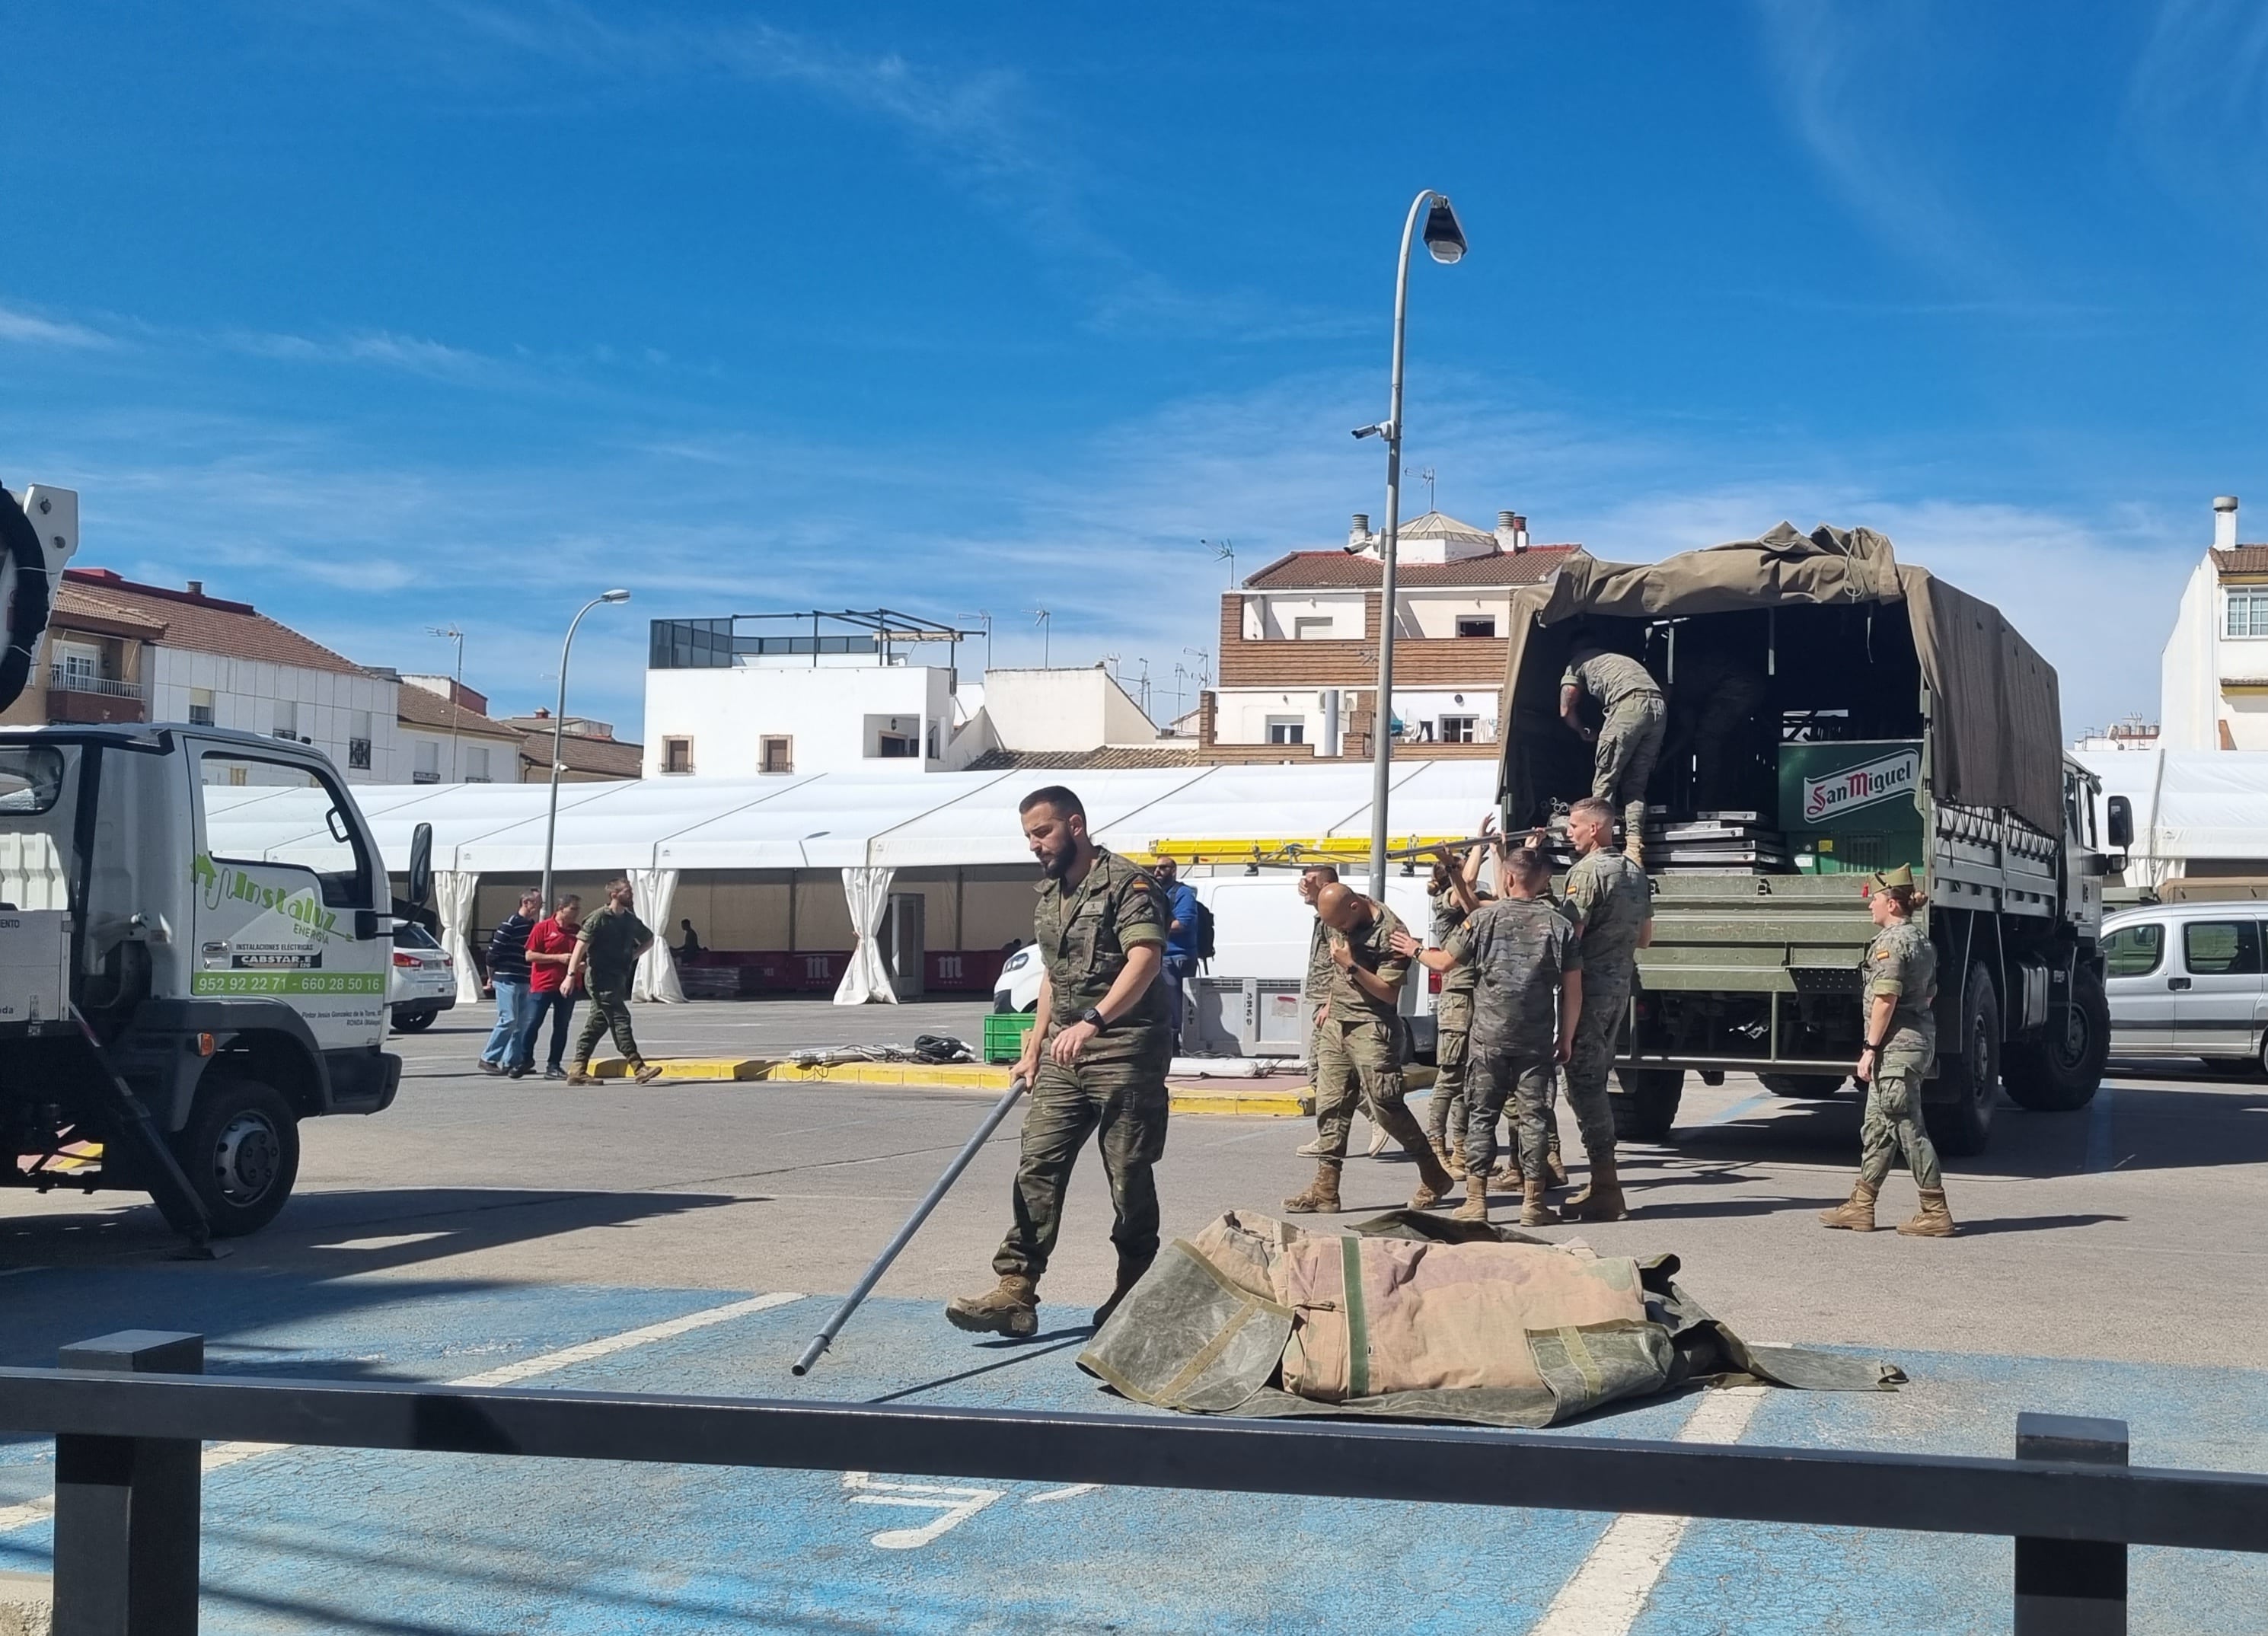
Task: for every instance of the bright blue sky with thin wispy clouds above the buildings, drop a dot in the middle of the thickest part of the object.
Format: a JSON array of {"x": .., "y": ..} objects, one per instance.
[{"x": 396, "y": 314}]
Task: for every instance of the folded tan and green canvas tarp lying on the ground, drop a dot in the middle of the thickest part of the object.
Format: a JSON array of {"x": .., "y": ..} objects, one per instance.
[{"x": 1419, "y": 1317}]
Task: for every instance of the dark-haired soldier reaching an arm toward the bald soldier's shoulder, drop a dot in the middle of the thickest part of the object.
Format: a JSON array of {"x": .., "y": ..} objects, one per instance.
[{"x": 1527, "y": 961}]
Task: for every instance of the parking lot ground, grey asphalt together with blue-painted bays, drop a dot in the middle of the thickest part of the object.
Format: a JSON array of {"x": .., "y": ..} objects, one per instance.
[{"x": 484, "y": 1224}]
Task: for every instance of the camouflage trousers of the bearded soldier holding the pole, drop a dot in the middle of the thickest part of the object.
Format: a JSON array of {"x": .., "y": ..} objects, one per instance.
[{"x": 1124, "y": 1104}]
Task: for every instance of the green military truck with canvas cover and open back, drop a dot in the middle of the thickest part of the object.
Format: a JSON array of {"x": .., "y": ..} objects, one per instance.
[{"x": 1831, "y": 714}]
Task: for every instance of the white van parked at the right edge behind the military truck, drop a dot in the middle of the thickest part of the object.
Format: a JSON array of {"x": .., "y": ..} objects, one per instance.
[{"x": 2187, "y": 981}]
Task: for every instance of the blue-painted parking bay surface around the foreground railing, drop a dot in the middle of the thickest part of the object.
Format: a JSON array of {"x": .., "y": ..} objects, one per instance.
[{"x": 364, "y": 1542}]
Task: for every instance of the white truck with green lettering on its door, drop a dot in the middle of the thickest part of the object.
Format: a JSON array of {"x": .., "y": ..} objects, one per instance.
[{"x": 196, "y": 936}]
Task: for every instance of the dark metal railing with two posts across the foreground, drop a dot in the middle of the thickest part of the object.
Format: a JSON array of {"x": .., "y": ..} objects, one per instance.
[{"x": 130, "y": 1412}]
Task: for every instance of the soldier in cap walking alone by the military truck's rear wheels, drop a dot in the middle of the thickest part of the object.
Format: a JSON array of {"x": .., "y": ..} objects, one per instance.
[{"x": 1899, "y": 975}]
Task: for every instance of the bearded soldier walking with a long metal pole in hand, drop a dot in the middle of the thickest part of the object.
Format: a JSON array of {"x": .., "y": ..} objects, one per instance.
[{"x": 1094, "y": 1061}]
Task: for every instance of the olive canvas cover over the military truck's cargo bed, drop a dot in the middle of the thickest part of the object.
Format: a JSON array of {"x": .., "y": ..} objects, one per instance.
[{"x": 1995, "y": 698}]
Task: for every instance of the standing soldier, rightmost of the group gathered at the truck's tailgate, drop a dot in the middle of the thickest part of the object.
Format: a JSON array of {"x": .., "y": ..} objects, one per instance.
[{"x": 1611, "y": 904}]
